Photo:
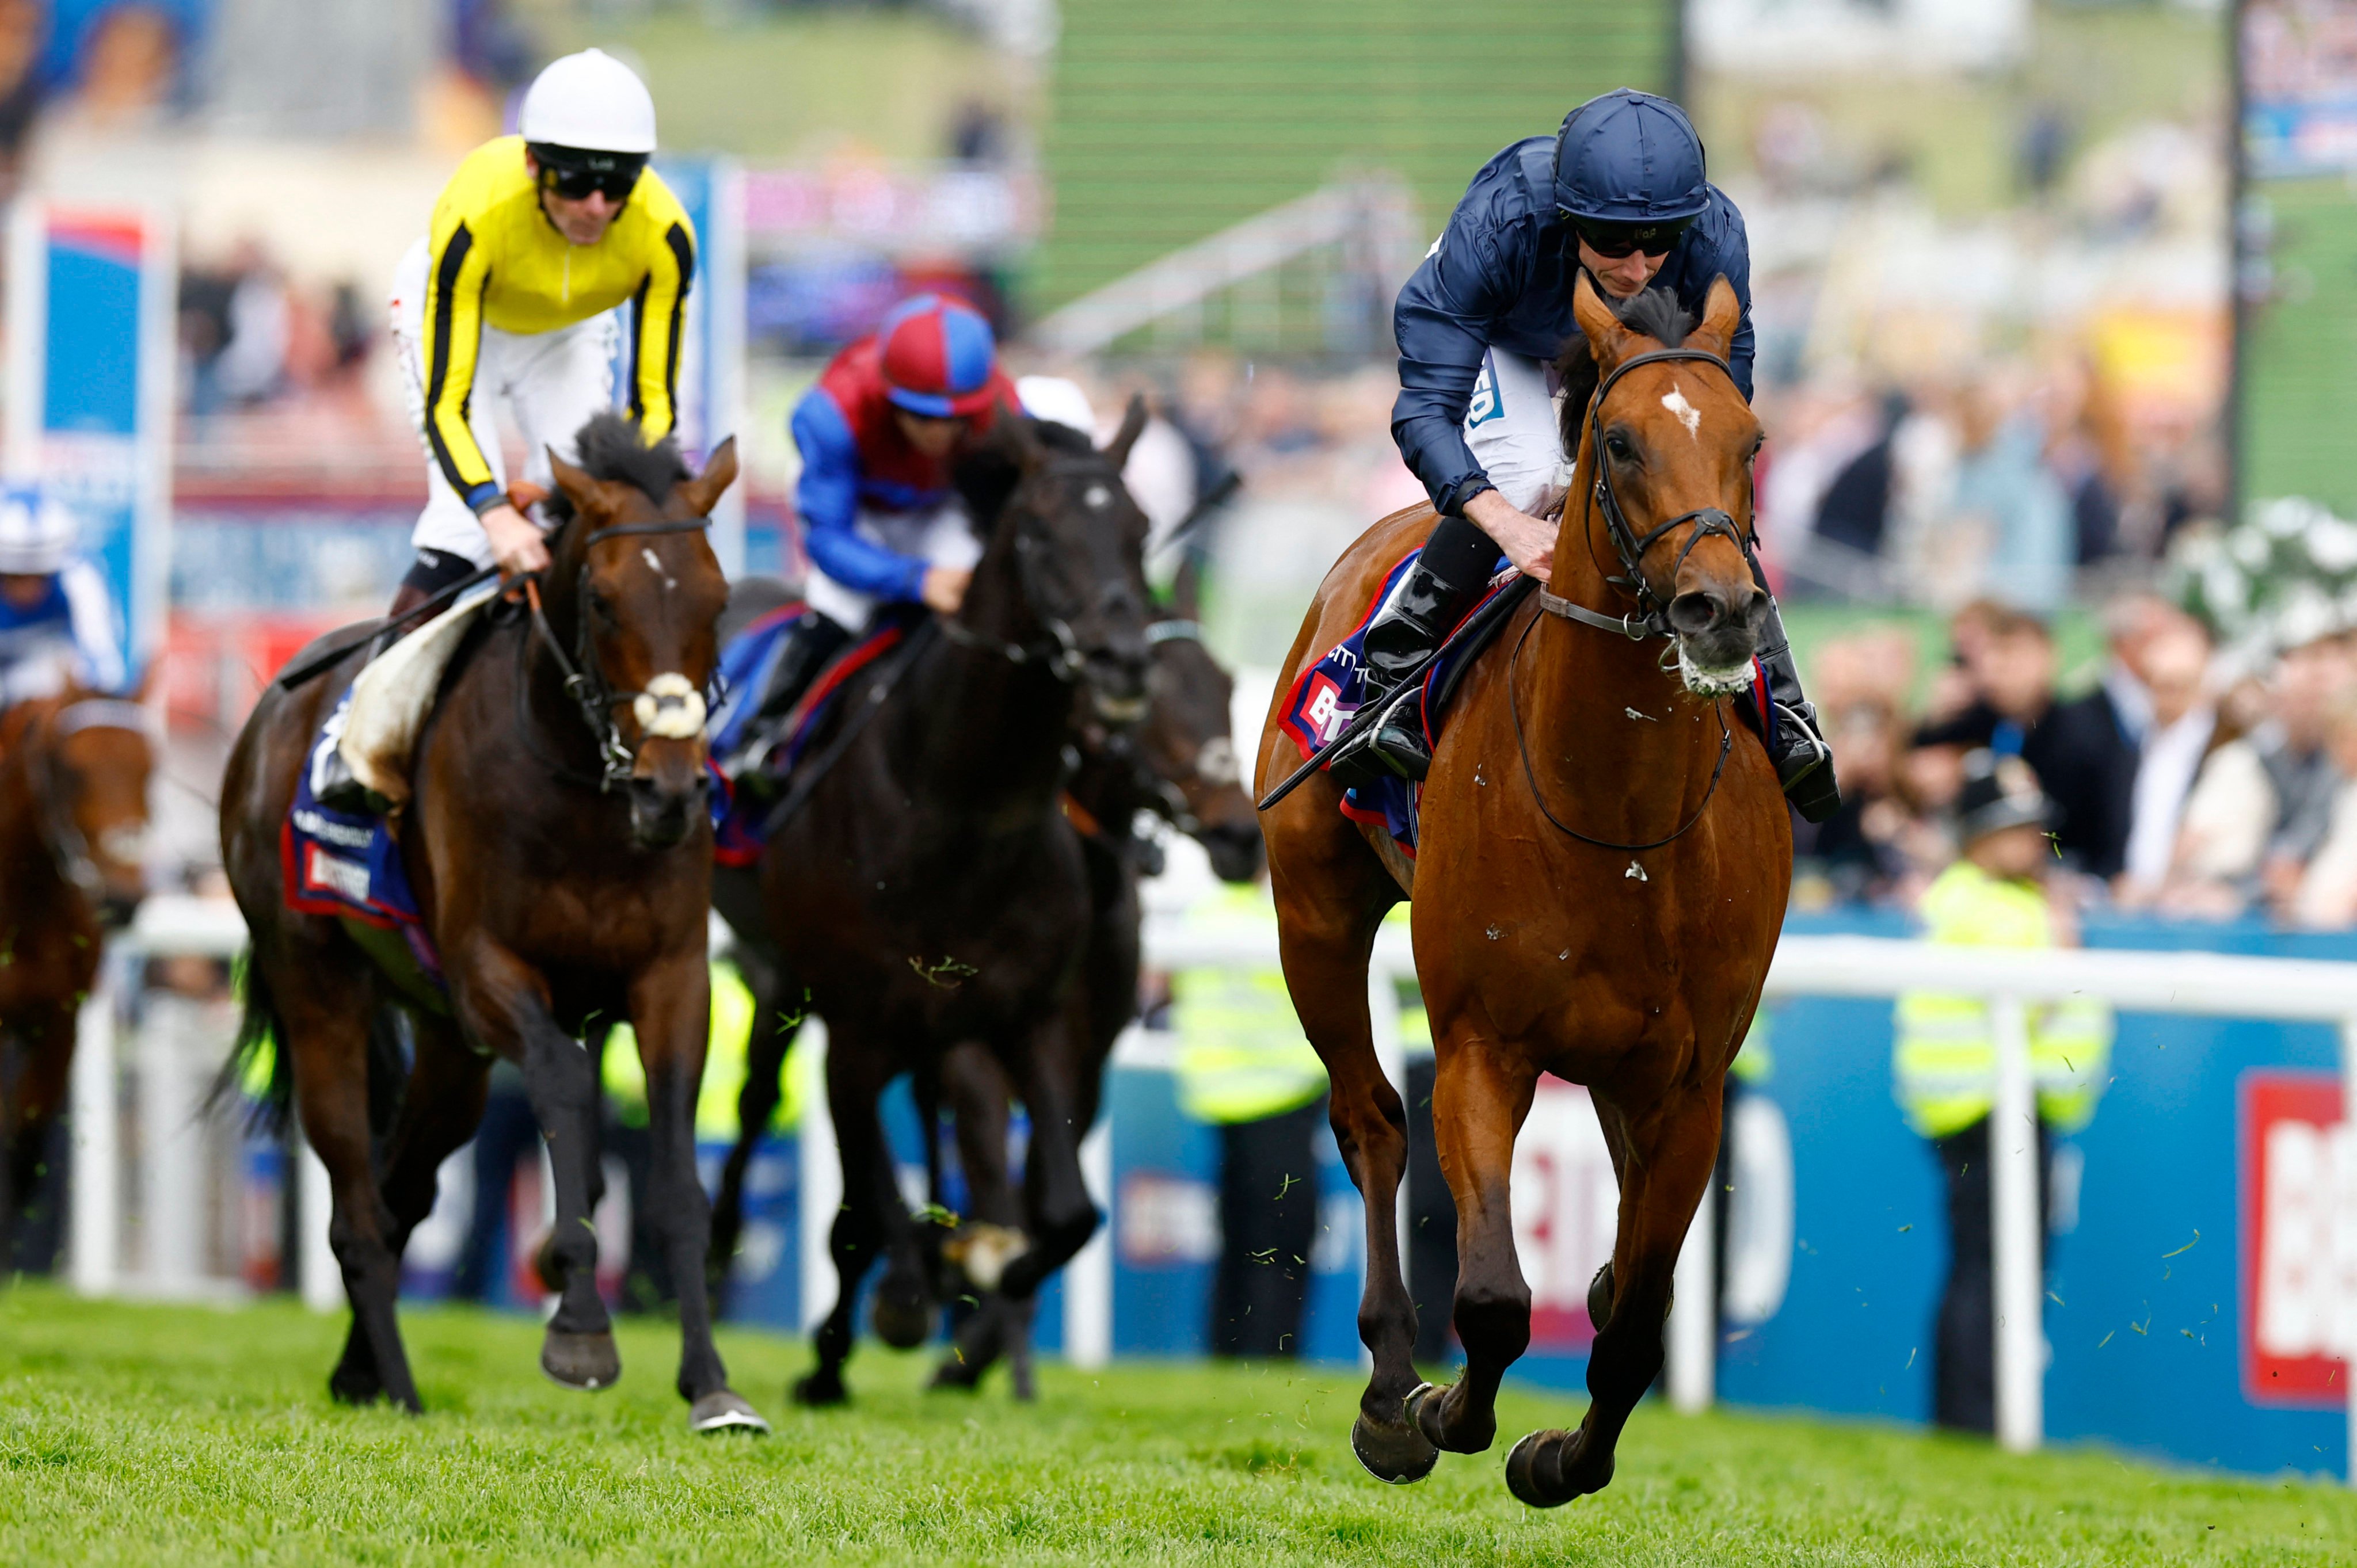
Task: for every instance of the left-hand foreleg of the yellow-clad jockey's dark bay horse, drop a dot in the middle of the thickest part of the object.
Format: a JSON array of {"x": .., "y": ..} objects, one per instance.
[{"x": 506, "y": 1003}]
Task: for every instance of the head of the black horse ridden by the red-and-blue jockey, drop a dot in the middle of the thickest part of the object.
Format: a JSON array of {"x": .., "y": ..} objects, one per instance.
[{"x": 1081, "y": 546}]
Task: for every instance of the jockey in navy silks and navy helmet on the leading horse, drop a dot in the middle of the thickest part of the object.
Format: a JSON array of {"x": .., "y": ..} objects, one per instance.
[{"x": 1623, "y": 195}]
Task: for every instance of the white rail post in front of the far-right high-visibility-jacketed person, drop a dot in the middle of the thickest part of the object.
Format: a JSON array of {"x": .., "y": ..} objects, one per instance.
[{"x": 2016, "y": 1232}]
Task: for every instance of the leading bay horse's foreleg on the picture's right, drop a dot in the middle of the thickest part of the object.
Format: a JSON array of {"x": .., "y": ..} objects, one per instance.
[{"x": 1670, "y": 1152}]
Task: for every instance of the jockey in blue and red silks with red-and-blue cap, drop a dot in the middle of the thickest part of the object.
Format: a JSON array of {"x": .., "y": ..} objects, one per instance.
[{"x": 878, "y": 437}]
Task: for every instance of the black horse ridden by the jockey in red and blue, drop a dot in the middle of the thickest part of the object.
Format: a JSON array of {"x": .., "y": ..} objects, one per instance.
[{"x": 932, "y": 890}]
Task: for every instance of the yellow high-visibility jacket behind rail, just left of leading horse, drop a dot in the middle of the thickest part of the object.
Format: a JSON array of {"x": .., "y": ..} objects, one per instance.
[{"x": 1241, "y": 1048}]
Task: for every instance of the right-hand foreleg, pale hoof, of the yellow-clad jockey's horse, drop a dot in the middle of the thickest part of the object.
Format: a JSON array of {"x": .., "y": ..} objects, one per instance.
[{"x": 671, "y": 1010}]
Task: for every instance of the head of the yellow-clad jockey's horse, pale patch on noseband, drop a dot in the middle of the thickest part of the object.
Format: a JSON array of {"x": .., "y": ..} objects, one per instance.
[{"x": 652, "y": 598}]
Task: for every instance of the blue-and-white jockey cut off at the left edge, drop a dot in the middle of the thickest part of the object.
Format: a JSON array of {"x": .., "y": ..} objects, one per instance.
[{"x": 58, "y": 621}]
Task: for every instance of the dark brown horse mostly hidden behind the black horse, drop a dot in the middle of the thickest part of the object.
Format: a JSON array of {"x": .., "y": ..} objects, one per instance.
[{"x": 1180, "y": 763}]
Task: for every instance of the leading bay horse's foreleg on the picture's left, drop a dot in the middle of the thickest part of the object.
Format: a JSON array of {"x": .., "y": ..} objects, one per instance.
[{"x": 1481, "y": 1095}]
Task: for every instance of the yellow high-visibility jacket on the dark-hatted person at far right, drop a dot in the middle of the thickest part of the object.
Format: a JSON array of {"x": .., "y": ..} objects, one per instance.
[{"x": 1943, "y": 1058}]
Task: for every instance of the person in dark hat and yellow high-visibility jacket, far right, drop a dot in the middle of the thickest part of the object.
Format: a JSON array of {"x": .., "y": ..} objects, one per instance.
[{"x": 1946, "y": 1060}]
